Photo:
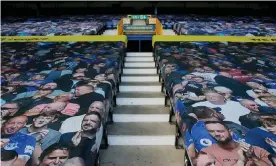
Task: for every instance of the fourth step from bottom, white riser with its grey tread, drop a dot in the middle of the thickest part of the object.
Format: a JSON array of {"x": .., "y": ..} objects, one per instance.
[{"x": 140, "y": 87}]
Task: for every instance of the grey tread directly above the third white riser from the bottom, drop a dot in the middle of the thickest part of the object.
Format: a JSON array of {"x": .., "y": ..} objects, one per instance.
[{"x": 140, "y": 95}]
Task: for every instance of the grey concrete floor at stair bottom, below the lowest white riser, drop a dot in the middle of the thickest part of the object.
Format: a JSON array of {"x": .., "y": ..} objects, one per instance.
[{"x": 141, "y": 156}]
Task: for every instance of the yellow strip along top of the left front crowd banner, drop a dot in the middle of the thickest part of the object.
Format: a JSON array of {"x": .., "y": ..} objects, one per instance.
[{"x": 95, "y": 38}]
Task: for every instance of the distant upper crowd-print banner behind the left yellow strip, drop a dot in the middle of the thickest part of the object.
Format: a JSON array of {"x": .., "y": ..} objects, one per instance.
[{"x": 58, "y": 26}]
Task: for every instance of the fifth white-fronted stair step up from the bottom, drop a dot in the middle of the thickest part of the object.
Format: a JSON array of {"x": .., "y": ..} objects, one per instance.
[{"x": 140, "y": 78}]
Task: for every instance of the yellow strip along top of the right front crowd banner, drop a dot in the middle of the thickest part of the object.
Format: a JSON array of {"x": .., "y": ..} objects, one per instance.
[{"x": 158, "y": 38}]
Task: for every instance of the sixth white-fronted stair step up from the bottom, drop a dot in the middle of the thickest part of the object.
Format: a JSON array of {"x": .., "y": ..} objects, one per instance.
[{"x": 139, "y": 70}]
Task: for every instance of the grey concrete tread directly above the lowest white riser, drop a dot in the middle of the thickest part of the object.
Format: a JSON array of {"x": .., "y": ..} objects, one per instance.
[{"x": 141, "y": 129}]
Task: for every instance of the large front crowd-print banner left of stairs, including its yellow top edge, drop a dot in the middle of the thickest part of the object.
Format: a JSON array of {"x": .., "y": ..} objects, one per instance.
[{"x": 56, "y": 95}]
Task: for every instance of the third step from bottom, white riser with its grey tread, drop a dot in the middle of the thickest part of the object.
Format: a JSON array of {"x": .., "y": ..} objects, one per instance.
[{"x": 140, "y": 98}]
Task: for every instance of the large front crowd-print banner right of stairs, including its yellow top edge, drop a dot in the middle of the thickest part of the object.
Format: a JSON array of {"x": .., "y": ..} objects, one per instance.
[{"x": 223, "y": 94}]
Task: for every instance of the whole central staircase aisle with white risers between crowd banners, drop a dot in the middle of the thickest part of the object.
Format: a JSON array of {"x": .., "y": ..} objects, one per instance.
[{"x": 141, "y": 134}]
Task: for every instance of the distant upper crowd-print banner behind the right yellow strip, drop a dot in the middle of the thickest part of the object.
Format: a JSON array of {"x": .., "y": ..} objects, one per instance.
[{"x": 192, "y": 24}]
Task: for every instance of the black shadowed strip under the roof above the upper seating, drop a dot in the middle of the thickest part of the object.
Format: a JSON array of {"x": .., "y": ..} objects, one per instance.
[{"x": 33, "y": 8}]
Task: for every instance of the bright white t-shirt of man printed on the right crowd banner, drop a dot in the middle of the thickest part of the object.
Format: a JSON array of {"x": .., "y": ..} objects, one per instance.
[{"x": 232, "y": 110}]
